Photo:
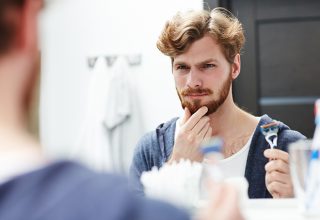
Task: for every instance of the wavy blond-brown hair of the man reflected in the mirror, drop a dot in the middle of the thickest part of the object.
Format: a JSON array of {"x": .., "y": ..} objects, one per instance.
[{"x": 185, "y": 28}]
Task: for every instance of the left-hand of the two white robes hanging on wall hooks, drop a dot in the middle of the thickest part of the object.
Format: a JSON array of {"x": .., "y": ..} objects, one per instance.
[{"x": 92, "y": 147}]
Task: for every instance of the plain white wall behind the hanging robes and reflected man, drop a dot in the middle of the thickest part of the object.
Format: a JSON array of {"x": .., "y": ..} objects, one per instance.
[{"x": 72, "y": 30}]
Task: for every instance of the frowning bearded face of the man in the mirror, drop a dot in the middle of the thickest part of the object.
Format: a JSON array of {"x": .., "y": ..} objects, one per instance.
[{"x": 202, "y": 76}]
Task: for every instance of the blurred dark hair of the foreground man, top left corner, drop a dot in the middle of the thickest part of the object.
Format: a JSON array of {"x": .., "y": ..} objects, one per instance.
[{"x": 7, "y": 27}]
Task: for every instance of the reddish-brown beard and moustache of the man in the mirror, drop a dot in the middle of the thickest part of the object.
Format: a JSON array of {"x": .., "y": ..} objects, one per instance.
[{"x": 212, "y": 105}]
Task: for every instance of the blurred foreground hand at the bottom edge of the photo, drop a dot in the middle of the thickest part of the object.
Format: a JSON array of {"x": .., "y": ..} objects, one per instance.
[{"x": 223, "y": 204}]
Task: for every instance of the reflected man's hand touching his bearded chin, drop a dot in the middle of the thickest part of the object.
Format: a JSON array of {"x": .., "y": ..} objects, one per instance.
[{"x": 193, "y": 130}]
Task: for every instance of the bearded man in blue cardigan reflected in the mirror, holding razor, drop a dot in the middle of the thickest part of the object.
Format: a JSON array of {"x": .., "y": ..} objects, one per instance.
[{"x": 204, "y": 48}]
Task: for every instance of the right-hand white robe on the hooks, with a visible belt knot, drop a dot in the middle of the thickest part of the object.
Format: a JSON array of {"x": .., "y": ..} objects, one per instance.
[{"x": 122, "y": 120}]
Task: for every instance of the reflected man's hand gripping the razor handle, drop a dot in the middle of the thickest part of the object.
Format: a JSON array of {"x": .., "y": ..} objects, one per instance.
[{"x": 278, "y": 179}]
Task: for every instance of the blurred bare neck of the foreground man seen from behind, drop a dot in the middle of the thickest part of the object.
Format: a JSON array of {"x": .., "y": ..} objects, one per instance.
[{"x": 13, "y": 132}]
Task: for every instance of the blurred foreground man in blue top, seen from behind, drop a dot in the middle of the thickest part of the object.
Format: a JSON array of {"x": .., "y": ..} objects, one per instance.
[{"x": 35, "y": 186}]
